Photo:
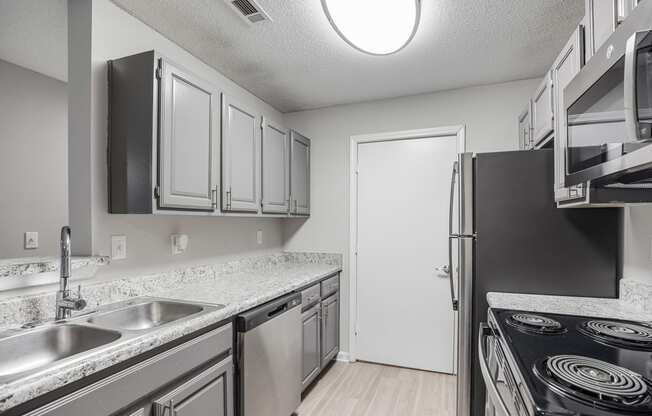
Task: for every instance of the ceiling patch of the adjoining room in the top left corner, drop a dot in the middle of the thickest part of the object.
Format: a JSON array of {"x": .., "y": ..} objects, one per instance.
[{"x": 34, "y": 35}]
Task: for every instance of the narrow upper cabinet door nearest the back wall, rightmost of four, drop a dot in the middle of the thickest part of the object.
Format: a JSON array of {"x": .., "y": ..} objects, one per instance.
[{"x": 300, "y": 174}]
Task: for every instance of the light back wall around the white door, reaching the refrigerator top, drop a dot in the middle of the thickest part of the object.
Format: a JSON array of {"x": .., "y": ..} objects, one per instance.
[{"x": 489, "y": 113}]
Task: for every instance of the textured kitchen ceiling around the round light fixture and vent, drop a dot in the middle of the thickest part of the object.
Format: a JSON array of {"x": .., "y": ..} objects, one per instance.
[{"x": 298, "y": 61}]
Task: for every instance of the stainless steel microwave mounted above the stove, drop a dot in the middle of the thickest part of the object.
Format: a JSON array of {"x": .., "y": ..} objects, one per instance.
[{"x": 609, "y": 110}]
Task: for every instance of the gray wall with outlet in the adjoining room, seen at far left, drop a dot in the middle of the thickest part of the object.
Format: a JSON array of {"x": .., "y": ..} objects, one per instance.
[{"x": 33, "y": 160}]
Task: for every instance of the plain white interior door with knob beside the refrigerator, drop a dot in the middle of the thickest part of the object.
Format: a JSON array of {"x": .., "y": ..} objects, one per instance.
[{"x": 404, "y": 314}]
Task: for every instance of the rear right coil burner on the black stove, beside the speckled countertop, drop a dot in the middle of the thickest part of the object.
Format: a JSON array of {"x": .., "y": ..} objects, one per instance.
[{"x": 623, "y": 334}]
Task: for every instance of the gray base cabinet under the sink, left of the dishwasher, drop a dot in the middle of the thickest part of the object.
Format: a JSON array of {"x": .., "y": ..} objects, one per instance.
[{"x": 192, "y": 379}]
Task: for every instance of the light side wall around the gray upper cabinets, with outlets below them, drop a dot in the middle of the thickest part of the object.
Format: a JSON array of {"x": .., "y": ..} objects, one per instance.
[{"x": 116, "y": 34}]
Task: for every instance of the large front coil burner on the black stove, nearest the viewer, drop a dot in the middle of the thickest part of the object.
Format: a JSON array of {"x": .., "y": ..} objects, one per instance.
[{"x": 596, "y": 382}]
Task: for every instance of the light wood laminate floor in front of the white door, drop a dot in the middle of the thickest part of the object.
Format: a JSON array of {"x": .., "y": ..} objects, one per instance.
[{"x": 365, "y": 389}]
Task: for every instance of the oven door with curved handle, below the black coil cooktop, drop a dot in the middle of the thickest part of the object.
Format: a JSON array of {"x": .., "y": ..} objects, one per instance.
[{"x": 503, "y": 398}]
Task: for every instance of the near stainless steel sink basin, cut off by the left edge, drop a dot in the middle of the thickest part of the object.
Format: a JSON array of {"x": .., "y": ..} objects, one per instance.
[{"x": 35, "y": 349}]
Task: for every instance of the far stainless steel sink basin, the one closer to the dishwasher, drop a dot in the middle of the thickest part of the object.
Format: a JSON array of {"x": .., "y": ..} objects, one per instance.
[{"x": 145, "y": 315}]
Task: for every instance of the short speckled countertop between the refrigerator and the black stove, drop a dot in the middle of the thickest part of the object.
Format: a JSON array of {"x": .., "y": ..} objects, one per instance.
[{"x": 635, "y": 303}]
